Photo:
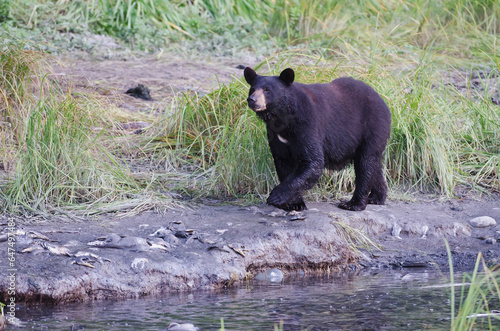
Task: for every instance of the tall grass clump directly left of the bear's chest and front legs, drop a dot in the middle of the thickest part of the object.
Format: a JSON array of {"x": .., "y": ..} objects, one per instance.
[{"x": 222, "y": 140}]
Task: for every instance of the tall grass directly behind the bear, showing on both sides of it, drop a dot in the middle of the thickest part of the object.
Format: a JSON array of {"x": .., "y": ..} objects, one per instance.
[{"x": 440, "y": 138}]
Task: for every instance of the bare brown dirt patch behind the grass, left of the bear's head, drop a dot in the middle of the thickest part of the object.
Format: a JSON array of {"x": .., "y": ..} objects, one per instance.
[{"x": 164, "y": 75}]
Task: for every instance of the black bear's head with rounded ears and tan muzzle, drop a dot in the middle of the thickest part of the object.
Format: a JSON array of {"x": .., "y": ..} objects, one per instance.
[{"x": 267, "y": 92}]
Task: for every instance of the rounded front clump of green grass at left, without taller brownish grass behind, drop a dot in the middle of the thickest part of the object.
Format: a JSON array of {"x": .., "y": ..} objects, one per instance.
[{"x": 58, "y": 163}]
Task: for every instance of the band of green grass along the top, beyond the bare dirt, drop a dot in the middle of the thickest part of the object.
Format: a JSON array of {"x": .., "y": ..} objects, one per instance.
[{"x": 466, "y": 27}]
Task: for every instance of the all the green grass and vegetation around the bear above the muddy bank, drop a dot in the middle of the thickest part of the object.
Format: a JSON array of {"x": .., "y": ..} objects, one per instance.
[{"x": 445, "y": 131}]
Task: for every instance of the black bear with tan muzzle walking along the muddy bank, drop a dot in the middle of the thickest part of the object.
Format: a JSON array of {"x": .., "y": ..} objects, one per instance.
[{"x": 316, "y": 126}]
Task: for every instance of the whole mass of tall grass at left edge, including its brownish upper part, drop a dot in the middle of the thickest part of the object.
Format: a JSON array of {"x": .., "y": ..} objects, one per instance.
[{"x": 55, "y": 155}]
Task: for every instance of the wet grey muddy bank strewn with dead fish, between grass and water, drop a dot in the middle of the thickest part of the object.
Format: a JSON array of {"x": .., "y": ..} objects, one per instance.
[{"x": 206, "y": 247}]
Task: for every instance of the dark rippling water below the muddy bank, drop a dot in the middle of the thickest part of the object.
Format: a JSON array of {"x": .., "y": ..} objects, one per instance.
[{"x": 388, "y": 300}]
